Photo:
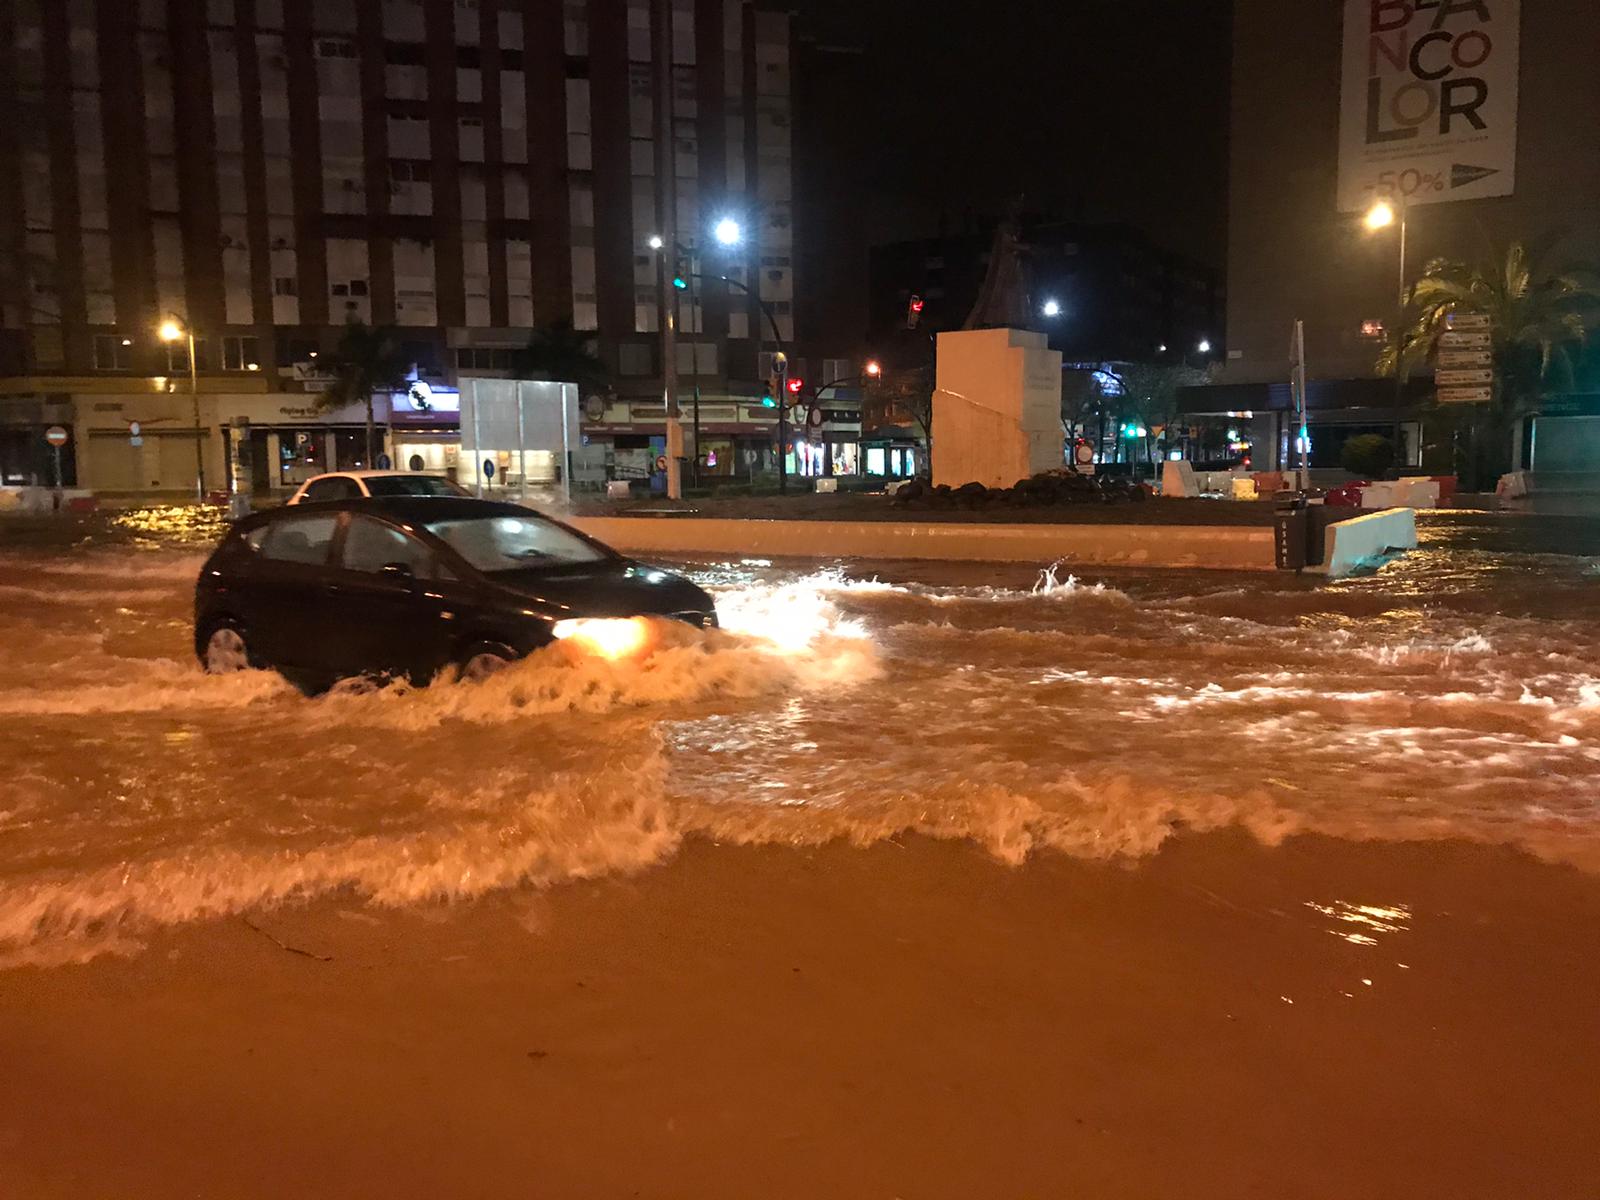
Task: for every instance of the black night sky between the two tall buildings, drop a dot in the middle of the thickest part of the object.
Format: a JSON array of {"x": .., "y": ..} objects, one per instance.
[{"x": 1105, "y": 110}]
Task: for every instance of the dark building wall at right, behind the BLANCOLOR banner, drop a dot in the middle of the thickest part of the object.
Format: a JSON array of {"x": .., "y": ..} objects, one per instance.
[{"x": 1295, "y": 252}]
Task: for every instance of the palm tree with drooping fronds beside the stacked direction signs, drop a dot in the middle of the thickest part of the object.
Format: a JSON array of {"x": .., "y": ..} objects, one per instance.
[{"x": 1538, "y": 324}]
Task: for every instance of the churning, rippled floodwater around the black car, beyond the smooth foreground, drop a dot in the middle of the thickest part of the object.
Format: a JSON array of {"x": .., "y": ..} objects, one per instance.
[{"x": 1454, "y": 695}]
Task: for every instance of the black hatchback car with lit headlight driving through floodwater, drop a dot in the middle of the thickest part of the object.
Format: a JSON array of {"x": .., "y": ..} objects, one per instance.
[{"x": 409, "y": 586}]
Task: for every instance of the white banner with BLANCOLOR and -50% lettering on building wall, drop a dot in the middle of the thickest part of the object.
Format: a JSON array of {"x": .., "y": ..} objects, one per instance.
[{"x": 1430, "y": 102}]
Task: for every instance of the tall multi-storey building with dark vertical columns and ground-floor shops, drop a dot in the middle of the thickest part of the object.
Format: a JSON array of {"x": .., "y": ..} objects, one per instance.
[{"x": 265, "y": 172}]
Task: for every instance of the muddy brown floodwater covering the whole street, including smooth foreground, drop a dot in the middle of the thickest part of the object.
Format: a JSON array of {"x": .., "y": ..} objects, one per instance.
[{"x": 1113, "y": 772}]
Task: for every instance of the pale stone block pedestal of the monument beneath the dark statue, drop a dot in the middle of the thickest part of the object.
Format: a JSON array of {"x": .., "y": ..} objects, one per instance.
[{"x": 996, "y": 407}]
